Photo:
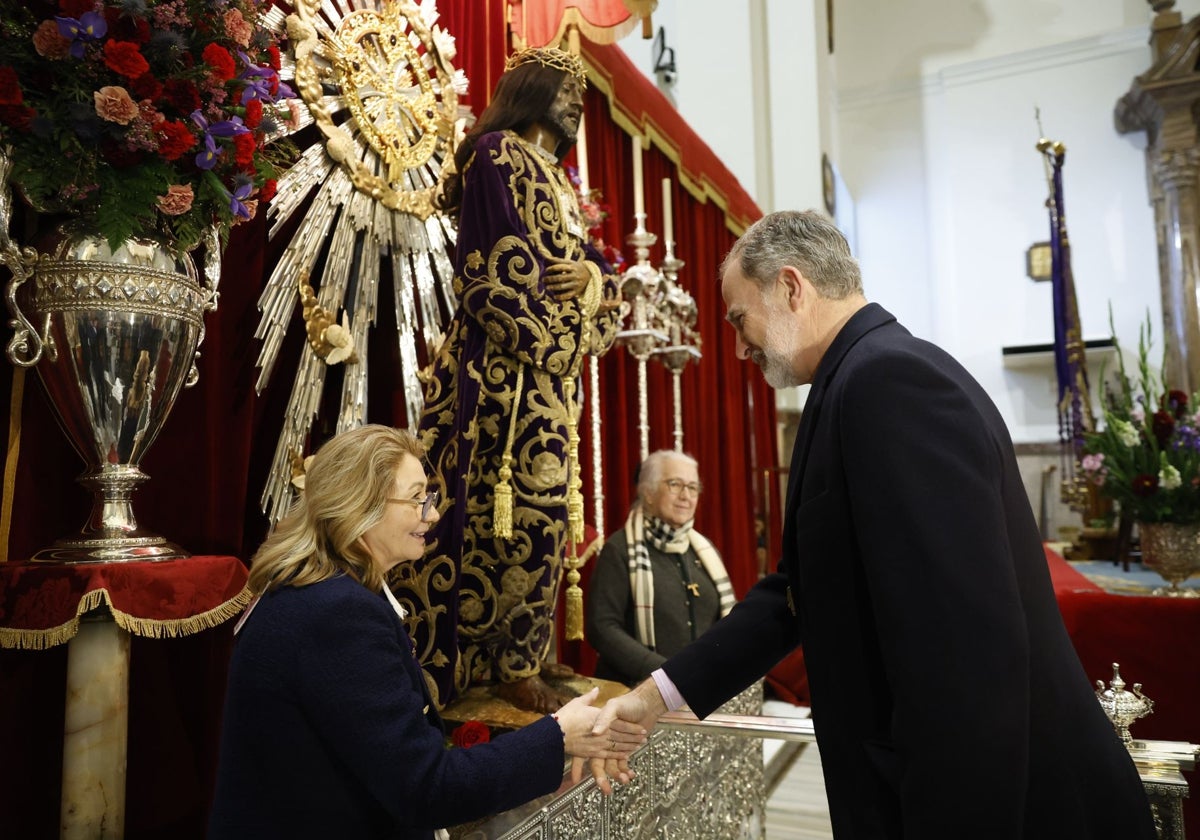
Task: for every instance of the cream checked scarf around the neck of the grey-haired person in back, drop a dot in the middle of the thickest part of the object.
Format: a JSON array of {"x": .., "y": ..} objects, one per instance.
[{"x": 641, "y": 530}]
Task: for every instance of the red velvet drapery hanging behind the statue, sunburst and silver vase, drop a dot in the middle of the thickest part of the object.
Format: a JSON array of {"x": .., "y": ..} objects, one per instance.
[{"x": 209, "y": 465}]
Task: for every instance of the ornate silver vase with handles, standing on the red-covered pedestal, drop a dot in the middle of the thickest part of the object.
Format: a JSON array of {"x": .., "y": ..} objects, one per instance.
[{"x": 113, "y": 334}]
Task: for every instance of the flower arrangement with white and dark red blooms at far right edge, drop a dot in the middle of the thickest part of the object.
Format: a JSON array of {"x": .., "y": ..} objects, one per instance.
[{"x": 1148, "y": 457}]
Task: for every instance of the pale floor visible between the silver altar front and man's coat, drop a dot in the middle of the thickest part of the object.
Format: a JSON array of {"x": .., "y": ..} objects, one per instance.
[{"x": 797, "y": 808}]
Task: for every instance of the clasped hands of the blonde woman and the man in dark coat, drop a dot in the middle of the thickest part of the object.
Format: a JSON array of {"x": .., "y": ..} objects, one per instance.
[{"x": 604, "y": 739}]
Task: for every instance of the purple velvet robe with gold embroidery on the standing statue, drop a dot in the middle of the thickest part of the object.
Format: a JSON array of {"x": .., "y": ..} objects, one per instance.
[{"x": 507, "y": 379}]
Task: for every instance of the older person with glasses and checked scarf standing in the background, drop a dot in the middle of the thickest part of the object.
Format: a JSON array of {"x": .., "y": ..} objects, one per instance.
[{"x": 658, "y": 584}]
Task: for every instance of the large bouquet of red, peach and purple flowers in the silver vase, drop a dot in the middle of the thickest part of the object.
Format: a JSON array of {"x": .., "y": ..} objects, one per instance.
[{"x": 143, "y": 117}]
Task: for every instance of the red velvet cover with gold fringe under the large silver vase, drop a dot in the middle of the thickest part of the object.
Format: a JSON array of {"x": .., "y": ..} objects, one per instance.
[{"x": 41, "y": 603}]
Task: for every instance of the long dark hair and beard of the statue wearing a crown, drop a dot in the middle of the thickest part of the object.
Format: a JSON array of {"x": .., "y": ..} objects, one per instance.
[{"x": 523, "y": 97}]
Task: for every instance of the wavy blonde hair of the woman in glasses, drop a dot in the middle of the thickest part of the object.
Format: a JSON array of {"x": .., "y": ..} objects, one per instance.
[{"x": 346, "y": 491}]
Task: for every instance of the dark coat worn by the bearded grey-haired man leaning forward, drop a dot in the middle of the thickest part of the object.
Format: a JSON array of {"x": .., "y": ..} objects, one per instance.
[{"x": 947, "y": 698}]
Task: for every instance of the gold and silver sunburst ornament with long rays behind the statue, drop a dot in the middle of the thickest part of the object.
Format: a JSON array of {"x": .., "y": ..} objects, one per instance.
[{"x": 375, "y": 80}]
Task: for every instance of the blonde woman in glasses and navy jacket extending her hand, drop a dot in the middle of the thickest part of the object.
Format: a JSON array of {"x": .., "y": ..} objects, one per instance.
[{"x": 329, "y": 729}]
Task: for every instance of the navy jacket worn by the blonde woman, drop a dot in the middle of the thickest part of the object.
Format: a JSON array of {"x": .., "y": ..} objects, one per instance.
[{"x": 329, "y": 731}]
